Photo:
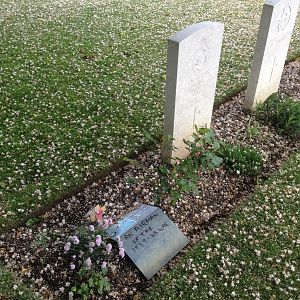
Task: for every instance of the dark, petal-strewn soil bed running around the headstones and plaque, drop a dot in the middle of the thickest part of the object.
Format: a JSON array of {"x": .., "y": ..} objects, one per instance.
[{"x": 43, "y": 266}]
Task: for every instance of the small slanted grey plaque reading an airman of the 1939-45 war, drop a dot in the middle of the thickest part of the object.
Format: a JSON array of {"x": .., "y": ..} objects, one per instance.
[{"x": 150, "y": 238}]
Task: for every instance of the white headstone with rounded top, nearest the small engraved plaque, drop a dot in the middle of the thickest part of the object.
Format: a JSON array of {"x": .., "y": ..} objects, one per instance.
[{"x": 192, "y": 69}]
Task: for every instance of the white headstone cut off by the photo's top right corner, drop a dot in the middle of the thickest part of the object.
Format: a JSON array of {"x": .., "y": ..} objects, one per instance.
[{"x": 275, "y": 31}]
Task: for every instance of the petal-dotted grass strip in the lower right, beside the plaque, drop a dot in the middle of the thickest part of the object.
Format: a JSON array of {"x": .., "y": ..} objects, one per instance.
[{"x": 254, "y": 255}]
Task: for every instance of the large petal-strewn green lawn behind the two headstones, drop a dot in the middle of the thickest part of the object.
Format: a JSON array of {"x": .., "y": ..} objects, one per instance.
[{"x": 82, "y": 85}]
